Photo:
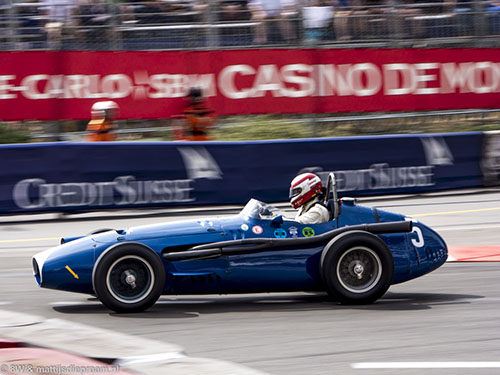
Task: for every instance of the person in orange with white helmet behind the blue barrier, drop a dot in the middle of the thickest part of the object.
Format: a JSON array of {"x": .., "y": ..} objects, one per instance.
[{"x": 101, "y": 125}]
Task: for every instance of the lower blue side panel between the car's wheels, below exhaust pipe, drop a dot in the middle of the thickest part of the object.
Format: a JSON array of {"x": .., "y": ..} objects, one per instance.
[{"x": 279, "y": 270}]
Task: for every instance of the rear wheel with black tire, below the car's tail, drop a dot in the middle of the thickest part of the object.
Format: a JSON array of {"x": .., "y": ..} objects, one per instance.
[{"x": 357, "y": 268}]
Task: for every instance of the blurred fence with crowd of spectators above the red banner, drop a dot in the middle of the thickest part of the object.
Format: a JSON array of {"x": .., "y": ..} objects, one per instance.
[{"x": 198, "y": 24}]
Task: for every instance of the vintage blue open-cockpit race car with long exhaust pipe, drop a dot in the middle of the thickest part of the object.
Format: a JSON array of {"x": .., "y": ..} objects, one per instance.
[{"x": 355, "y": 256}]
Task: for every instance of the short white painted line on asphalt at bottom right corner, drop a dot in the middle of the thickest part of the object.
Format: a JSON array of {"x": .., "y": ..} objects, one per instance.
[{"x": 422, "y": 365}]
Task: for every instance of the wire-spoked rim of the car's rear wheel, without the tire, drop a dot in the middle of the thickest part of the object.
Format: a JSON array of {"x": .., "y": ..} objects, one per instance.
[{"x": 359, "y": 269}]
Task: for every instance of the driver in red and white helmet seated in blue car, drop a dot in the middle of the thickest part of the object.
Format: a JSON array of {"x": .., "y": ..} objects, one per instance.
[{"x": 306, "y": 191}]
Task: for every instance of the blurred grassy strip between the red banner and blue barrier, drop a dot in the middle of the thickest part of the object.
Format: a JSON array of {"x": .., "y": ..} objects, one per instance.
[{"x": 279, "y": 126}]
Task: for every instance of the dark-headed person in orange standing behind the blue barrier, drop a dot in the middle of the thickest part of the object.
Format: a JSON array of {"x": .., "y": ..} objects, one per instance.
[{"x": 198, "y": 116}]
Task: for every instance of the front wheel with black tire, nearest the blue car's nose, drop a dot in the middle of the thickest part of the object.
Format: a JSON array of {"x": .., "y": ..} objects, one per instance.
[{"x": 129, "y": 278}]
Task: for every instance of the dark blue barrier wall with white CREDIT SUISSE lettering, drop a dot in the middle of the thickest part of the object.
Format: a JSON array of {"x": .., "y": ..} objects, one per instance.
[{"x": 89, "y": 176}]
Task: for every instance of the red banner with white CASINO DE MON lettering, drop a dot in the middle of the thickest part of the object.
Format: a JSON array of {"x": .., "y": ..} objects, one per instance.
[{"x": 64, "y": 84}]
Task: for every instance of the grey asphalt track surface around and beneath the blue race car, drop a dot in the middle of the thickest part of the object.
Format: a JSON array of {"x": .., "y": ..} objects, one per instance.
[{"x": 444, "y": 323}]
